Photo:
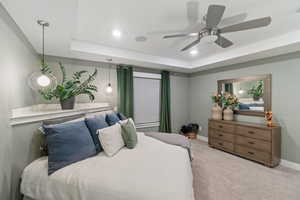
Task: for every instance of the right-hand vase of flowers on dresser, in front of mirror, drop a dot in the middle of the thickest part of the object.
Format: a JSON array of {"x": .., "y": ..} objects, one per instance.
[{"x": 230, "y": 102}]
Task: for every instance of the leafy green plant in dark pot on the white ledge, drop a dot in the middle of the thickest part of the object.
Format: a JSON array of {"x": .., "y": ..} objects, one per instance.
[{"x": 69, "y": 89}]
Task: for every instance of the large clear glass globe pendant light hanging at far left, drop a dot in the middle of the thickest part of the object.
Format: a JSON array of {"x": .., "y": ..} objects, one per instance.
[{"x": 42, "y": 79}]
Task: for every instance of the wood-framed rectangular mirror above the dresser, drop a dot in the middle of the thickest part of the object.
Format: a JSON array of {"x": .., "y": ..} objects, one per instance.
[{"x": 254, "y": 93}]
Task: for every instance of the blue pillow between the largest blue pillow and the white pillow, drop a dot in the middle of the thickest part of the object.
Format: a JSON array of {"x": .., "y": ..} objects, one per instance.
[{"x": 93, "y": 124}]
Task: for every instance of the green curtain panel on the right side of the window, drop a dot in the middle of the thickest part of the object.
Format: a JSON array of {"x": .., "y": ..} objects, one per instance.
[{"x": 165, "y": 103}]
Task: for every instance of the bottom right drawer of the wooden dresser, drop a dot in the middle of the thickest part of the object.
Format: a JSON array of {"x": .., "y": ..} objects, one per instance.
[{"x": 253, "y": 154}]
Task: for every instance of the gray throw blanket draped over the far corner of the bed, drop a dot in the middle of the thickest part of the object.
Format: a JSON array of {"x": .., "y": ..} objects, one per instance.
[{"x": 174, "y": 139}]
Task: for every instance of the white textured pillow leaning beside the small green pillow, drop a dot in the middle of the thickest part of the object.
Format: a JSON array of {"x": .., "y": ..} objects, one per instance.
[{"x": 111, "y": 139}]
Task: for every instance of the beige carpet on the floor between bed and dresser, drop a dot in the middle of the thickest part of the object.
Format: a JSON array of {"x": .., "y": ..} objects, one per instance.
[{"x": 222, "y": 176}]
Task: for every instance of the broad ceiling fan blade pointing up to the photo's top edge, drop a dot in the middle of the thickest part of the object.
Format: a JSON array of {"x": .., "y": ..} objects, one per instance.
[{"x": 214, "y": 15}]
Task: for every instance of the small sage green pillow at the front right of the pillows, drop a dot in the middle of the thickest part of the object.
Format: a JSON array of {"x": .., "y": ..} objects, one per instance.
[{"x": 129, "y": 134}]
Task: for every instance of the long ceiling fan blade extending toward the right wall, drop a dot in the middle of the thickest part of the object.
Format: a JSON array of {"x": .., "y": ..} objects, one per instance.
[{"x": 256, "y": 23}]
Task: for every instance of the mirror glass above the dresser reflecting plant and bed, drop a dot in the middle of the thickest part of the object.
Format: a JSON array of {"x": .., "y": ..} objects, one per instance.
[{"x": 250, "y": 94}]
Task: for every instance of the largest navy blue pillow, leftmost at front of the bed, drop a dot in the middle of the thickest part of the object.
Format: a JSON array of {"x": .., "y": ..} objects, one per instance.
[{"x": 68, "y": 143}]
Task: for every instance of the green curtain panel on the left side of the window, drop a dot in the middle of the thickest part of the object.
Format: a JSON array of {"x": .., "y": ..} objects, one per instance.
[{"x": 125, "y": 90}]
